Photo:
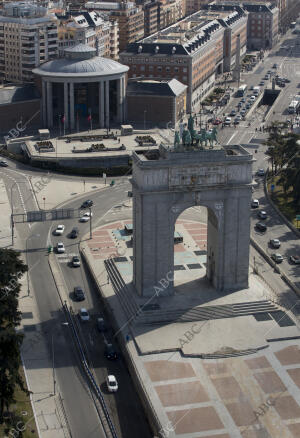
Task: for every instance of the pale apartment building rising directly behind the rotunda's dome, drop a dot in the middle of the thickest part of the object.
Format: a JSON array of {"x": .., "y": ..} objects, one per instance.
[{"x": 92, "y": 28}]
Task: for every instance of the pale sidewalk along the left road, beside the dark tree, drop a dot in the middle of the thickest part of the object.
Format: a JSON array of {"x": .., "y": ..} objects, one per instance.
[{"x": 37, "y": 362}]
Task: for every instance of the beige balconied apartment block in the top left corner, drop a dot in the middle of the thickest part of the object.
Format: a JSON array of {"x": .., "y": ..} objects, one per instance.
[{"x": 28, "y": 37}]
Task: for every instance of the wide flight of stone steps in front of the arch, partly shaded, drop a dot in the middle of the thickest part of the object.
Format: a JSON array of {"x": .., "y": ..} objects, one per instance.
[{"x": 205, "y": 313}]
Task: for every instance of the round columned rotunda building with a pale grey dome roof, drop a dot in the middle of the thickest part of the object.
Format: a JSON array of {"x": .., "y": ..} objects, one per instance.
[{"x": 82, "y": 86}]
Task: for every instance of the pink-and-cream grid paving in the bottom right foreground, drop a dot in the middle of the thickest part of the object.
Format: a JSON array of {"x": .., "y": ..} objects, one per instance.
[{"x": 252, "y": 397}]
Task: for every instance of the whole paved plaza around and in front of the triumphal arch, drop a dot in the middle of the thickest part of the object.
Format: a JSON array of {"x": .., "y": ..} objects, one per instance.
[{"x": 255, "y": 395}]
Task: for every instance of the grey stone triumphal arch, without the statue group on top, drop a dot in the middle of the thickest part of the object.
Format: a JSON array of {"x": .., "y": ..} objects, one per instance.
[{"x": 168, "y": 180}]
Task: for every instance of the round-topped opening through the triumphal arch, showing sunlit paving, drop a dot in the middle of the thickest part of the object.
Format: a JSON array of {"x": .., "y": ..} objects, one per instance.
[{"x": 196, "y": 247}]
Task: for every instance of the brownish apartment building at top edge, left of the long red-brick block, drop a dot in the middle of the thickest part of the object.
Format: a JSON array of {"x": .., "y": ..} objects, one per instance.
[{"x": 129, "y": 16}]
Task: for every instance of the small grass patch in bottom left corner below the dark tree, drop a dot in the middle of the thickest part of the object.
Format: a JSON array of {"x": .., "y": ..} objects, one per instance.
[{"x": 20, "y": 420}]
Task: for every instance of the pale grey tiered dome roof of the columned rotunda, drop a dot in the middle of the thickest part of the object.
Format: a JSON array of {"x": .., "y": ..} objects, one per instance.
[{"x": 80, "y": 60}]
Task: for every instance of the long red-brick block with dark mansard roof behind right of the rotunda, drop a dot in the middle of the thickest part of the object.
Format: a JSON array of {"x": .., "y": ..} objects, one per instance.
[{"x": 191, "y": 51}]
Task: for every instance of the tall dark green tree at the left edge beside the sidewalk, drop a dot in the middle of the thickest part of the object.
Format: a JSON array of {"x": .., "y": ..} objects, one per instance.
[{"x": 11, "y": 270}]
